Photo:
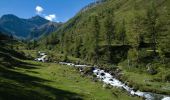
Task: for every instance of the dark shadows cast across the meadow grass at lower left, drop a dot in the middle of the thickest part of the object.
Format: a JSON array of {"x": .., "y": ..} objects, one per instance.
[{"x": 18, "y": 86}]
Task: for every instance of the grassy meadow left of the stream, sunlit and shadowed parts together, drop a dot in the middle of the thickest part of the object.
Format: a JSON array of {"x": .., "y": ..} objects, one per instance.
[{"x": 50, "y": 81}]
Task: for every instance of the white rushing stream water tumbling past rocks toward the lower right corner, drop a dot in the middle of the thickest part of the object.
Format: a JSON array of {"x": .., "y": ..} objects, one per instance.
[{"x": 107, "y": 78}]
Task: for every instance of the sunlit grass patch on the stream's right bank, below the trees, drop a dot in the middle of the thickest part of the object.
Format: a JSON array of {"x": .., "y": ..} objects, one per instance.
[{"x": 147, "y": 82}]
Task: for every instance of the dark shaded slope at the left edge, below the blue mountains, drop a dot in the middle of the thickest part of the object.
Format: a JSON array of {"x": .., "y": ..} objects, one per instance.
[{"x": 9, "y": 54}]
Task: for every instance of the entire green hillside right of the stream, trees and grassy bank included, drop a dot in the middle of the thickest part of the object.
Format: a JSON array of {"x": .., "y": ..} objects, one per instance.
[{"x": 133, "y": 34}]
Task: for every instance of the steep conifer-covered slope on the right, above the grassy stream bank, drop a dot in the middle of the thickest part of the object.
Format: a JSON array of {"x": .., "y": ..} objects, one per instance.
[{"x": 116, "y": 30}]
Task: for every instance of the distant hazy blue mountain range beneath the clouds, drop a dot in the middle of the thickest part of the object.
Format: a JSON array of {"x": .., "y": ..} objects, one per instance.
[{"x": 23, "y": 28}]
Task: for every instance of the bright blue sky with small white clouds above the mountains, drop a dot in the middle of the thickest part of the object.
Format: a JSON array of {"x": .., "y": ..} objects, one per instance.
[{"x": 56, "y": 10}]
